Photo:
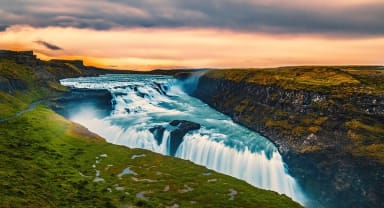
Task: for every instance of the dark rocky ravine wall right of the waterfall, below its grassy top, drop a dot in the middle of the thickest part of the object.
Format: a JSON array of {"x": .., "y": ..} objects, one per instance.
[{"x": 314, "y": 131}]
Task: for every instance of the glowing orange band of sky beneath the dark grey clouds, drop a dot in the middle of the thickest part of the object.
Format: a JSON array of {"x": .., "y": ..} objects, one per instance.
[{"x": 144, "y": 49}]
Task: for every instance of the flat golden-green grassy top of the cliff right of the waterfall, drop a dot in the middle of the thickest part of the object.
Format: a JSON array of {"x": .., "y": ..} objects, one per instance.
[{"x": 349, "y": 79}]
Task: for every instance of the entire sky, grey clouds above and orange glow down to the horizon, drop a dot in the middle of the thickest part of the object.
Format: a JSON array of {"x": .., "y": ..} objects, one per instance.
[{"x": 151, "y": 34}]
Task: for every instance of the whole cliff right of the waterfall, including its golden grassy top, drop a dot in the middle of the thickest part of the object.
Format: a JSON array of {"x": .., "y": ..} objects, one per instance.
[{"x": 328, "y": 123}]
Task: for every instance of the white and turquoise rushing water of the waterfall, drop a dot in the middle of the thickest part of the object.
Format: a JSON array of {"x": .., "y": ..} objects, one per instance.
[{"x": 142, "y": 102}]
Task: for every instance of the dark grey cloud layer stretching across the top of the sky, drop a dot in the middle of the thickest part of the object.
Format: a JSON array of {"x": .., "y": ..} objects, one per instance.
[{"x": 354, "y": 17}]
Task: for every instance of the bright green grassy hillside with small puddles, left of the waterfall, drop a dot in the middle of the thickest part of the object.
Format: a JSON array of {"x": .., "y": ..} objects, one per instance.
[{"x": 48, "y": 161}]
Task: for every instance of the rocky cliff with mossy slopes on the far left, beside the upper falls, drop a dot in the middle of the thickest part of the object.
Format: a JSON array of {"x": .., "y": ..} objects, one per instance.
[{"x": 22, "y": 73}]
